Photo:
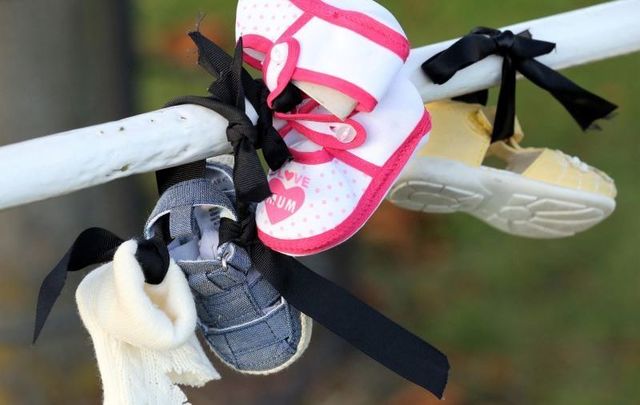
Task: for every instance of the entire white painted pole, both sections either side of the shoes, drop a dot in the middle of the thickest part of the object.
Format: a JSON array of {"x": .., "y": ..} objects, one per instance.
[{"x": 60, "y": 164}]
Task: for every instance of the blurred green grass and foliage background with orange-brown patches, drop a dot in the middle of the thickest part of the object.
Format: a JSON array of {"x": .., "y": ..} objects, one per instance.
[{"x": 524, "y": 321}]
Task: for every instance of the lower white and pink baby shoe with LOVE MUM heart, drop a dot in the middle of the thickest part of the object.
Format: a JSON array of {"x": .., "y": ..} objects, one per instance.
[{"x": 340, "y": 172}]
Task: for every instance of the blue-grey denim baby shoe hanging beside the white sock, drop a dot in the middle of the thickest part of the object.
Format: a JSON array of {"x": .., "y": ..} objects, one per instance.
[{"x": 246, "y": 322}]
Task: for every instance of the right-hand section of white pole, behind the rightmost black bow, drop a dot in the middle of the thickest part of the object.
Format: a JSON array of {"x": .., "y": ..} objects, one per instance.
[{"x": 582, "y": 36}]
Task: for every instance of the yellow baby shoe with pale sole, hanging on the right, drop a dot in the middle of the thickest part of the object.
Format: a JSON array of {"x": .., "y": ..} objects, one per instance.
[{"x": 541, "y": 193}]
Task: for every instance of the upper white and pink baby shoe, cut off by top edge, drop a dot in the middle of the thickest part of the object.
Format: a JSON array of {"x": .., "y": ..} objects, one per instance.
[{"x": 352, "y": 48}]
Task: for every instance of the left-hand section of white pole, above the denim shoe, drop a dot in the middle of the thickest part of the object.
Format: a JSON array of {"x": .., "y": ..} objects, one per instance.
[{"x": 59, "y": 164}]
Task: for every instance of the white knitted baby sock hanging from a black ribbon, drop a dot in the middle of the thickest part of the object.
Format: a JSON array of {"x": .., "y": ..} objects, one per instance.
[{"x": 143, "y": 335}]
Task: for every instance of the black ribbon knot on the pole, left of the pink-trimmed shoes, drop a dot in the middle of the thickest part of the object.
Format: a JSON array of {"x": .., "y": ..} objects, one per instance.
[{"x": 227, "y": 97}]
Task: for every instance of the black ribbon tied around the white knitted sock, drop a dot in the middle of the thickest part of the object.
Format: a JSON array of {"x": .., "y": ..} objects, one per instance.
[{"x": 96, "y": 246}]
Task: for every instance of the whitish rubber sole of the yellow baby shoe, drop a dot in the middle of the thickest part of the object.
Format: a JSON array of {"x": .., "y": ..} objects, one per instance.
[{"x": 507, "y": 201}]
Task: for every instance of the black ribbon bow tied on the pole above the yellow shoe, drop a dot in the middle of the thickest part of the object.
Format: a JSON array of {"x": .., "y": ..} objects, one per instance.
[{"x": 518, "y": 52}]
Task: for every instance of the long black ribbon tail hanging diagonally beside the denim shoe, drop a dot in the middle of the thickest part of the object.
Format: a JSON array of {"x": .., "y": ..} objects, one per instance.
[{"x": 339, "y": 311}]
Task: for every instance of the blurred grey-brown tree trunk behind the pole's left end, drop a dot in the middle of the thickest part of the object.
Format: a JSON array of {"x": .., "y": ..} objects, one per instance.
[{"x": 63, "y": 64}]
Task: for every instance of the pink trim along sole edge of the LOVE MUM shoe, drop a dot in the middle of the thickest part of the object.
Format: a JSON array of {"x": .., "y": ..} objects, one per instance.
[{"x": 369, "y": 202}]
